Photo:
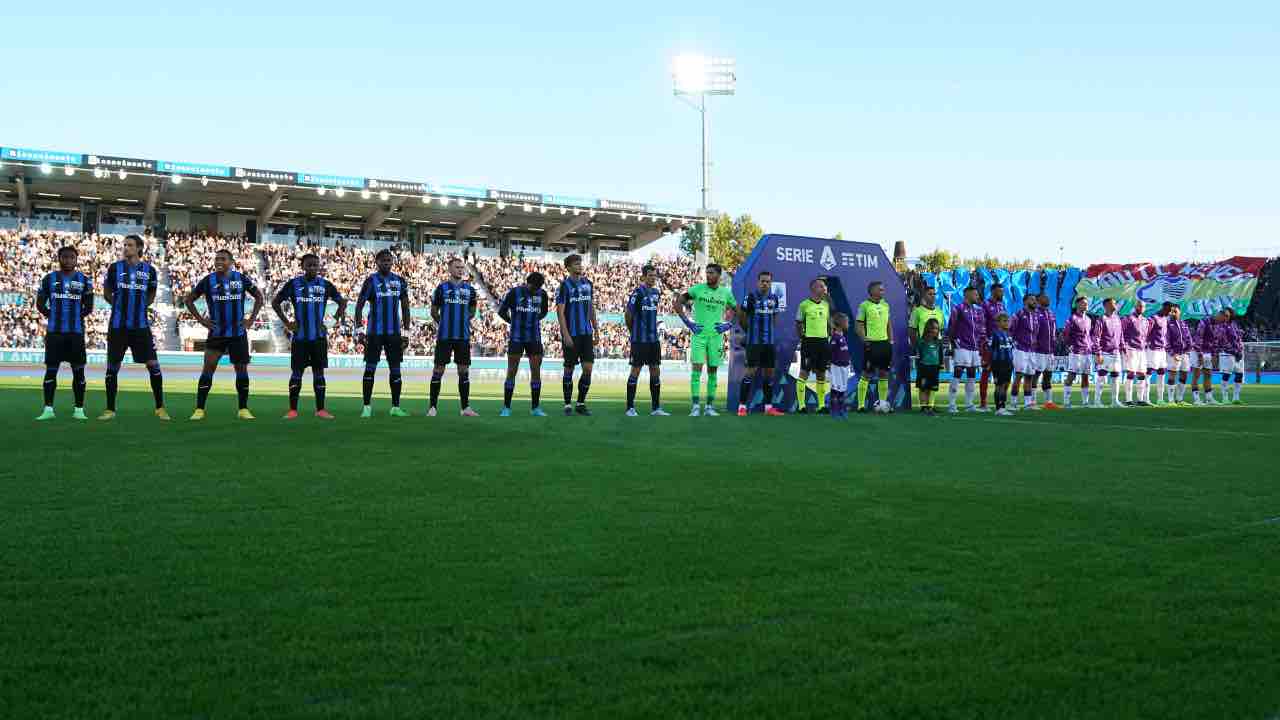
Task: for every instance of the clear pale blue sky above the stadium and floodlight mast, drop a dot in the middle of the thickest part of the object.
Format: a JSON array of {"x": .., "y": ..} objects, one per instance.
[{"x": 1118, "y": 130}]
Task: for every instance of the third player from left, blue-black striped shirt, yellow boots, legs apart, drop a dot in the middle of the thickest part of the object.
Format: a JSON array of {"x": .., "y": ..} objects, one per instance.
[{"x": 225, "y": 293}]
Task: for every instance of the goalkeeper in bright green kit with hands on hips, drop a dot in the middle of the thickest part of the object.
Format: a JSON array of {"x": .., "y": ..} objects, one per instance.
[{"x": 714, "y": 312}]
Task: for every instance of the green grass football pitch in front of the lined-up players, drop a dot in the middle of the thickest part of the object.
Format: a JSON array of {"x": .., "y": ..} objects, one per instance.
[{"x": 1073, "y": 564}]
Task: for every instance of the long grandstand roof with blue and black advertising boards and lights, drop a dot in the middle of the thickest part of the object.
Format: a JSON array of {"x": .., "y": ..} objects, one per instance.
[{"x": 150, "y": 186}]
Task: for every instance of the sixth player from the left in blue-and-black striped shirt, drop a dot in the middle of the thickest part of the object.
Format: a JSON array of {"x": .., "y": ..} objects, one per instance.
[{"x": 454, "y": 306}]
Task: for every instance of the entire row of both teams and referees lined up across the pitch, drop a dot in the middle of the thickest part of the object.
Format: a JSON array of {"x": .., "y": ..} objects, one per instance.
[{"x": 977, "y": 336}]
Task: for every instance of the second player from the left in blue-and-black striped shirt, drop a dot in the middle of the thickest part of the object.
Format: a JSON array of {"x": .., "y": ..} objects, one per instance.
[{"x": 131, "y": 290}]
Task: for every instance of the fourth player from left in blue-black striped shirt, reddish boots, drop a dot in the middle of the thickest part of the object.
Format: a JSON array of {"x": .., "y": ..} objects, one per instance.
[{"x": 309, "y": 343}]
